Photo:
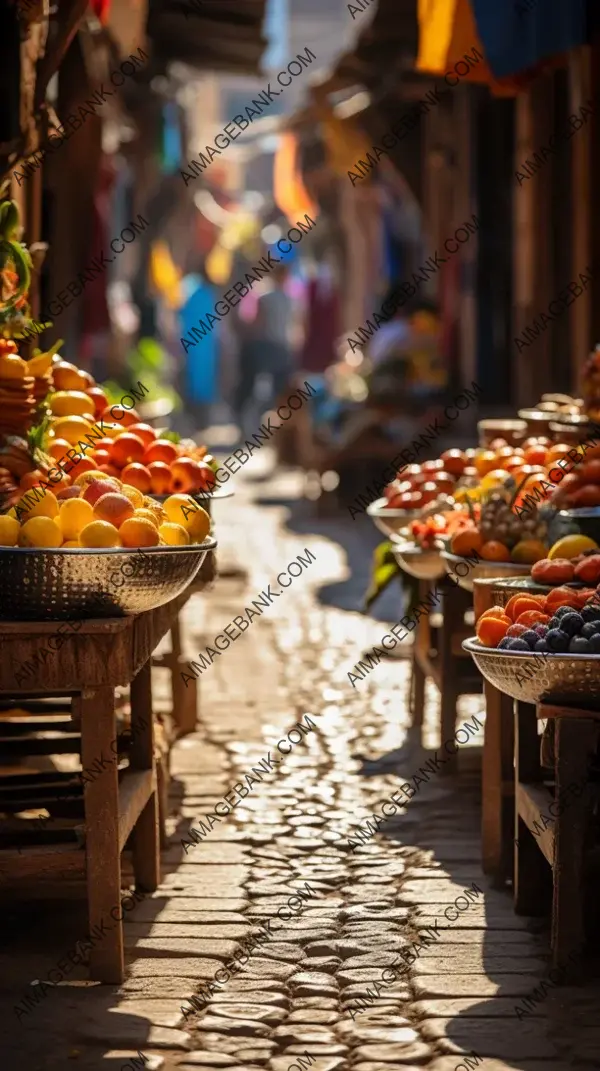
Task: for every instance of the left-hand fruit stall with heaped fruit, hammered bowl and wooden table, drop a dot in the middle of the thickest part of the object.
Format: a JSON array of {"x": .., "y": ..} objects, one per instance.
[{"x": 107, "y": 531}]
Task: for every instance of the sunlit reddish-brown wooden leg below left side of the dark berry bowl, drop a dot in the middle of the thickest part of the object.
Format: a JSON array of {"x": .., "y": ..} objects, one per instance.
[{"x": 497, "y": 775}]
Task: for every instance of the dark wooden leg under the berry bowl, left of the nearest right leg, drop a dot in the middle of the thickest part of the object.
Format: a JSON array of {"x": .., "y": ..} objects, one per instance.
[{"x": 532, "y": 871}]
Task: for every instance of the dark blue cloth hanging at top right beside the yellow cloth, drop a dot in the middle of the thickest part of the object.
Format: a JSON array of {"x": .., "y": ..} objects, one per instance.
[{"x": 518, "y": 35}]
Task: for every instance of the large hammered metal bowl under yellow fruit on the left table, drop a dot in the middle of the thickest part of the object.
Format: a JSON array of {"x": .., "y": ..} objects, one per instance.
[{"x": 77, "y": 583}]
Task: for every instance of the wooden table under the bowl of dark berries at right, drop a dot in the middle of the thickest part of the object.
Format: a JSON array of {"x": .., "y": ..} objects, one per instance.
[{"x": 553, "y": 855}]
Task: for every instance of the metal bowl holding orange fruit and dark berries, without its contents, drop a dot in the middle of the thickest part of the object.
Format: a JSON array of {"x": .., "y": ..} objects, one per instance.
[{"x": 537, "y": 677}]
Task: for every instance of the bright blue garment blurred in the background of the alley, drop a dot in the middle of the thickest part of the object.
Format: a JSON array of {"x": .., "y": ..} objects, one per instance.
[{"x": 203, "y": 359}]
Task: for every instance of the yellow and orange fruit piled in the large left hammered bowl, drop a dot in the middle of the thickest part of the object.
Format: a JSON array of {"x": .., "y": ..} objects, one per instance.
[{"x": 99, "y": 511}]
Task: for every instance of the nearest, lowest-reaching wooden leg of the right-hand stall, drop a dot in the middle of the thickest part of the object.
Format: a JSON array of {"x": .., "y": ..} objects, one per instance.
[{"x": 575, "y": 746}]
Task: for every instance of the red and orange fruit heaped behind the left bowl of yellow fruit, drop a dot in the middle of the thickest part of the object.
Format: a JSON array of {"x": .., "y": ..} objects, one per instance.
[{"x": 74, "y": 413}]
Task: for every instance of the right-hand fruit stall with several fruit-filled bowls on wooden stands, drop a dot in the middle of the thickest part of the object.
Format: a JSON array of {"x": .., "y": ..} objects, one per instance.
[{"x": 501, "y": 542}]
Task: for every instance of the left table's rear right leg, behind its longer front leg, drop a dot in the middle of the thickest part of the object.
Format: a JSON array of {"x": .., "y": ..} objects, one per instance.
[{"x": 145, "y": 834}]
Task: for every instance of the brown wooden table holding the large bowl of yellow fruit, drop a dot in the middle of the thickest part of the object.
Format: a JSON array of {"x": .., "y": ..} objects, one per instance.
[{"x": 92, "y": 663}]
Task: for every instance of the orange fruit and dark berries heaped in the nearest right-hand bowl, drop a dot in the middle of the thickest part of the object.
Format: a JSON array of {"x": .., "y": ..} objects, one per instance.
[{"x": 564, "y": 622}]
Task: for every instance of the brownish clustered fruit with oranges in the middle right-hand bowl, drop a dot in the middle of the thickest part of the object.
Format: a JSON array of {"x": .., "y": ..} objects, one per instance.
[{"x": 498, "y": 535}]
